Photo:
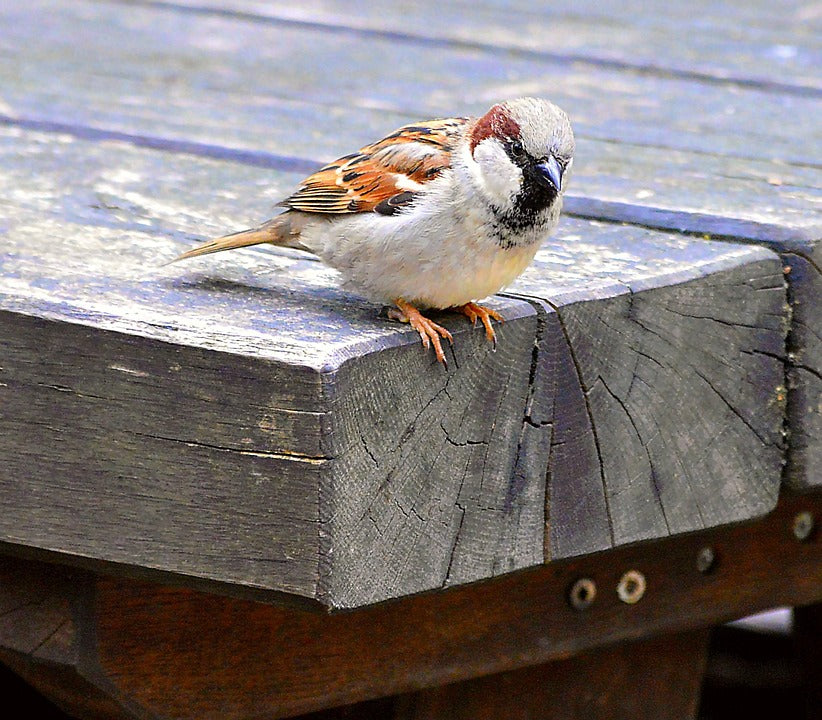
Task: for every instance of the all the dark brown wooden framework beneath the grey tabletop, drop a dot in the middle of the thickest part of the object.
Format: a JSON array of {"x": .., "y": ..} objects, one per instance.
[{"x": 140, "y": 649}]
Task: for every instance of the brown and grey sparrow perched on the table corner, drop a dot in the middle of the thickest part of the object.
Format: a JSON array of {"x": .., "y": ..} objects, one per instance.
[{"x": 438, "y": 214}]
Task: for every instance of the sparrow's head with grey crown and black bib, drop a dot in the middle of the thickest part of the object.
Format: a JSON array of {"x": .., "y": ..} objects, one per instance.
[{"x": 523, "y": 150}]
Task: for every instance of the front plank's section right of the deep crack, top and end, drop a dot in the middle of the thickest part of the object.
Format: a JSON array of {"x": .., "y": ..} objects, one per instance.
[{"x": 669, "y": 430}]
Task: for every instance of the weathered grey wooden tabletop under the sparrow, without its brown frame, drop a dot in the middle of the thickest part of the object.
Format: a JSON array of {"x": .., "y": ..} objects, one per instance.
[{"x": 241, "y": 423}]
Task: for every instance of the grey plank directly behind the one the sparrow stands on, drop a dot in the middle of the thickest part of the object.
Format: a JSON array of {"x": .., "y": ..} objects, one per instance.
[{"x": 729, "y": 177}]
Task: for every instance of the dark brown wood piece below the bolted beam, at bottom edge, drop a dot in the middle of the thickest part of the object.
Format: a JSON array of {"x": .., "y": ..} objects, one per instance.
[{"x": 657, "y": 679}]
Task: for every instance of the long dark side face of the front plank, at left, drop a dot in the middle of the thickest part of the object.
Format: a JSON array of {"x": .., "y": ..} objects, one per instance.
[{"x": 110, "y": 452}]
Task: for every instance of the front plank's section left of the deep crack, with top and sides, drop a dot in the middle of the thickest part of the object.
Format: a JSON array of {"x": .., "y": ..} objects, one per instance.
[{"x": 220, "y": 422}]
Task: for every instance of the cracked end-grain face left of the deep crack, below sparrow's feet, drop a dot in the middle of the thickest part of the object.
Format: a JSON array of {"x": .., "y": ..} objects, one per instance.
[{"x": 421, "y": 494}]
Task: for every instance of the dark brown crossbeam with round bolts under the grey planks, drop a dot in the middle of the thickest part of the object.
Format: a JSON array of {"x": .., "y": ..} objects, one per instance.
[{"x": 172, "y": 652}]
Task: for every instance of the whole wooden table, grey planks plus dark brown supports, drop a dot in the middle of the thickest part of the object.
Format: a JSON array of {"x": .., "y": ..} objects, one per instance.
[{"x": 201, "y": 464}]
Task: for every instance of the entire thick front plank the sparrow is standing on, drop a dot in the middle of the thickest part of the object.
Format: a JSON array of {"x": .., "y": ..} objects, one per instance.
[{"x": 263, "y": 455}]
